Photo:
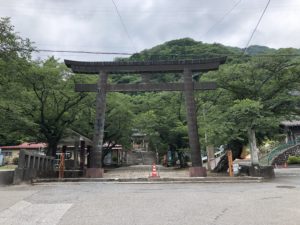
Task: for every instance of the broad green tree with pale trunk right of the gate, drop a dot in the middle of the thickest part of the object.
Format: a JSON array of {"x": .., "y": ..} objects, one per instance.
[{"x": 254, "y": 96}]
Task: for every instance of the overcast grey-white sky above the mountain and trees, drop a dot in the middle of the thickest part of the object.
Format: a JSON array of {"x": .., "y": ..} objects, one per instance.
[{"x": 94, "y": 25}]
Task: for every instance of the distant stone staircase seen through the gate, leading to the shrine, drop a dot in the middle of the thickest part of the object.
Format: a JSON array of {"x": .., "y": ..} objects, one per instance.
[{"x": 140, "y": 157}]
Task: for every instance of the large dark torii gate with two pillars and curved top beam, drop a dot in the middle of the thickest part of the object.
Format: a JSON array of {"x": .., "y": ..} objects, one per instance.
[{"x": 145, "y": 69}]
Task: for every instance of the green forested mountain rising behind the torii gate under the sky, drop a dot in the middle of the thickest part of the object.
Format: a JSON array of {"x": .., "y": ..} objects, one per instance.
[{"x": 187, "y": 48}]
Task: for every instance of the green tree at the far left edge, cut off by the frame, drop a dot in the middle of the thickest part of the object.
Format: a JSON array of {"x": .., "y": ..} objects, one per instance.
[{"x": 15, "y": 53}]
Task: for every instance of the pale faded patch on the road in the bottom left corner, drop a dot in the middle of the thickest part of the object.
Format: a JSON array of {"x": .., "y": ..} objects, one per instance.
[{"x": 26, "y": 213}]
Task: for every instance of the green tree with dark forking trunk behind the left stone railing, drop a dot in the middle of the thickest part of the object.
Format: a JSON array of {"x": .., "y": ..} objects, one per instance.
[{"x": 51, "y": 102}]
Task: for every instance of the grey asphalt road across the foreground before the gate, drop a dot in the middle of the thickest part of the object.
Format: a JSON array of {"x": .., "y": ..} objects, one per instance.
[{"x": 275, "y": 202}]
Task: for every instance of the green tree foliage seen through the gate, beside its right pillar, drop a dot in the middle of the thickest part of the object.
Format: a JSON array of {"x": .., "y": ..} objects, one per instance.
[{"x": 161, "y": 116}]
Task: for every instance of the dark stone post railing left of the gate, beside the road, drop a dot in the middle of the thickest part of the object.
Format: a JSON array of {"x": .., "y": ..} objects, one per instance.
[{"x": 32, "y": 165}]
